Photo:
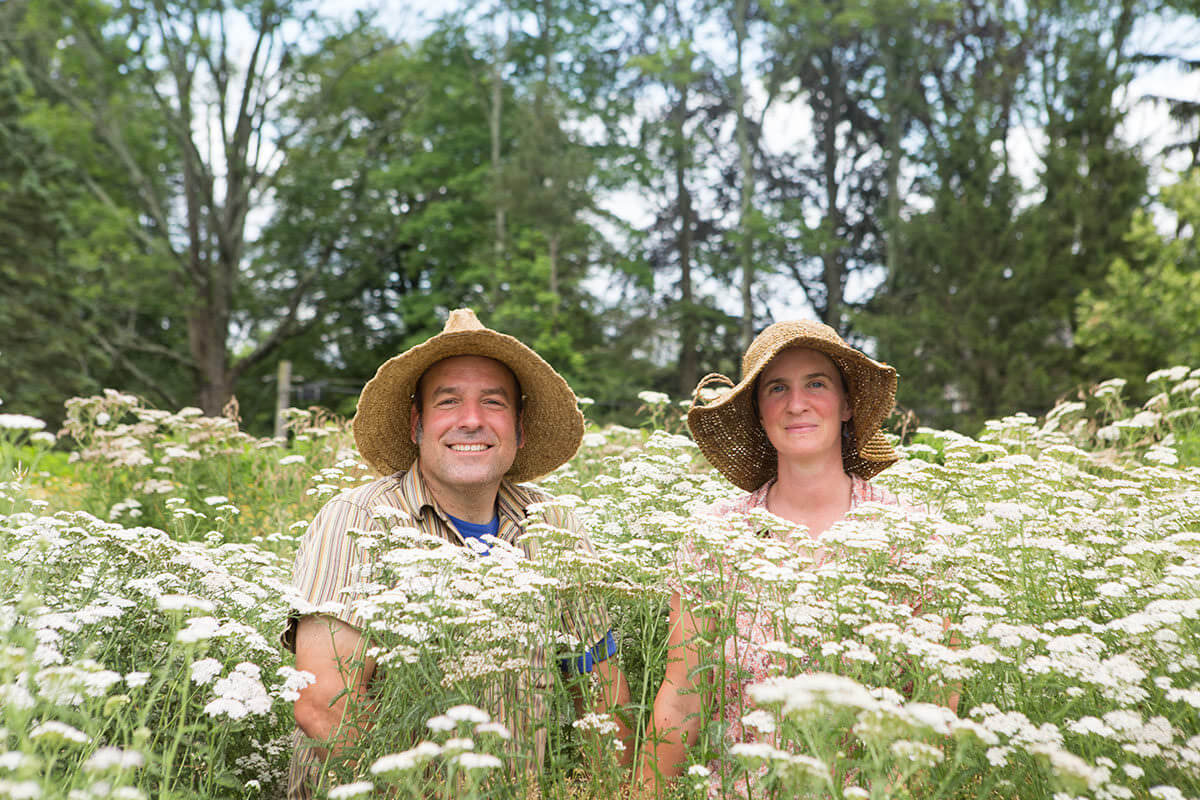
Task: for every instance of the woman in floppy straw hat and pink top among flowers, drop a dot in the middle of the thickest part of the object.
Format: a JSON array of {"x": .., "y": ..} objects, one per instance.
[{"x": 801, "y": 434}]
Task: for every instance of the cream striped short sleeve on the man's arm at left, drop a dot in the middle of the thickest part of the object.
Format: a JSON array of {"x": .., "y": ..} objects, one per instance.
[{"x": 329, "y": 567}]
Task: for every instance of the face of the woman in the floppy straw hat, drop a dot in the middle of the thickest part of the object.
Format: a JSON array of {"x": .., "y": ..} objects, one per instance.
[{"x": 802, "y": 405}]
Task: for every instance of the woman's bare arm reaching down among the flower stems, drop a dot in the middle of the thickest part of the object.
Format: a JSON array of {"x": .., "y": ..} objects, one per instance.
[{"x": 679, "y": 707}]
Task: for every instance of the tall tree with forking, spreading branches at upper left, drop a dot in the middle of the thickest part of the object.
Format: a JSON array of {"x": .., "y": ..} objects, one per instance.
[{"x": 213, "y": 75}]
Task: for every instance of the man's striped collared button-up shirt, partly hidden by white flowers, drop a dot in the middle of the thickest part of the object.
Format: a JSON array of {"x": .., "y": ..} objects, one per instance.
[{"x": 328, "y": 569}]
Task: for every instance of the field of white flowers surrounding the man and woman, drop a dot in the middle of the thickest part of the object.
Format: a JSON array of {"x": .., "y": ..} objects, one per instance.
[{"x": 145, "y": 561}]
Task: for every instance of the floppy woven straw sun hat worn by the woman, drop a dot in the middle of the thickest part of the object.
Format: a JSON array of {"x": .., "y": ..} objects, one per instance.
[{"x": 733, "y": 438}]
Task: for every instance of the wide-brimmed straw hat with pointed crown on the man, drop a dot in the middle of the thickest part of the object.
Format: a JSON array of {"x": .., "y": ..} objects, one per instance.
[{"x": 551, "y": 418}]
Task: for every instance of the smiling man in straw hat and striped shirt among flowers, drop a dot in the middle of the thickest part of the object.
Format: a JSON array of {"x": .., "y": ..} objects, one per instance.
[{"x": 452, "y": 425}]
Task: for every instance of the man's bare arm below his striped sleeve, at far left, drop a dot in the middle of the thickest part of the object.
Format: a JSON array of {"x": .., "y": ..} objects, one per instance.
[{"x": 334, "y": 653}]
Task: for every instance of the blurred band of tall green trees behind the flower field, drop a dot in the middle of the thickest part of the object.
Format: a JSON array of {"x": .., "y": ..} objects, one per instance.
[{"x": 191, "y": 191}]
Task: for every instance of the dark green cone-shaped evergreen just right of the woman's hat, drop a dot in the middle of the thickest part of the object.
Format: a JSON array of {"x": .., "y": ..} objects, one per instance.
[{"x": 957, "y": 318}]
